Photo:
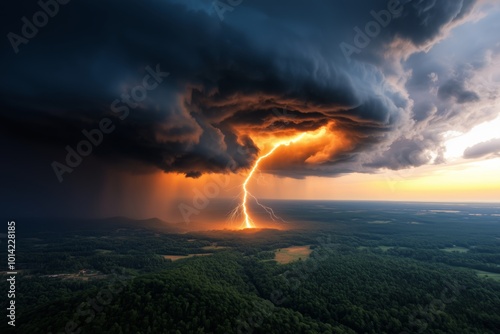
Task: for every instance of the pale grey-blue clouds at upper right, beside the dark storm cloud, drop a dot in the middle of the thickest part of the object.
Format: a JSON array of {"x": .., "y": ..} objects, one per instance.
[{"x": 451, "y": 90}]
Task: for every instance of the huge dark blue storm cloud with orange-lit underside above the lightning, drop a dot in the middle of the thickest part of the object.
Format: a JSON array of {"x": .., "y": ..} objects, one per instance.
[{"x": 225, "y": 77}]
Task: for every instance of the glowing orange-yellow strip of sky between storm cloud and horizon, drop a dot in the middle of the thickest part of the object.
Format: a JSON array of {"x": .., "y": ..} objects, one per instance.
[{"x": 159, "y": 195}]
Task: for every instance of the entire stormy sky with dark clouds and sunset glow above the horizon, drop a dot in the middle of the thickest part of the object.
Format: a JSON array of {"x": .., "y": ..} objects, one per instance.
[{"x": 140, "y": 108}]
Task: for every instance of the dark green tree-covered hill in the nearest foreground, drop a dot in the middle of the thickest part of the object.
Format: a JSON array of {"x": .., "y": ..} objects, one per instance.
[{"x": 335, "y": 291}]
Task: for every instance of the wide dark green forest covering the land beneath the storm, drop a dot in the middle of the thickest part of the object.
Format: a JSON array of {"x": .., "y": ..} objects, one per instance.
[{"x": 441, "y": 277}]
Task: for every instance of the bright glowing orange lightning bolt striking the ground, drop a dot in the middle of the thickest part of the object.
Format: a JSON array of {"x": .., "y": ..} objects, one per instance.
[{"x": 248, "y": 222}]
